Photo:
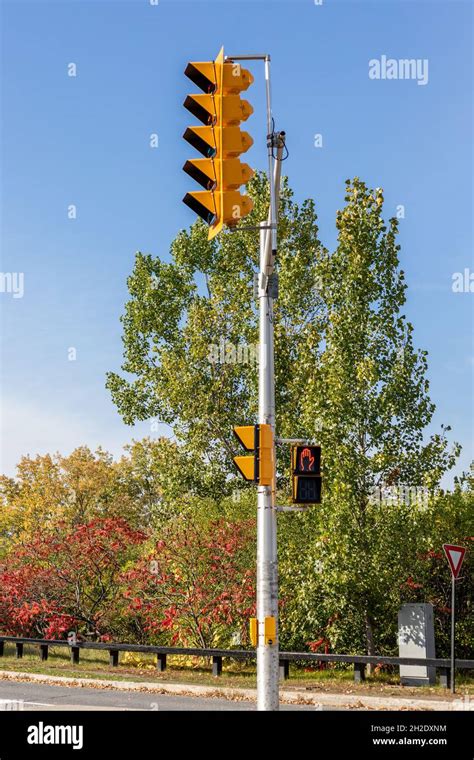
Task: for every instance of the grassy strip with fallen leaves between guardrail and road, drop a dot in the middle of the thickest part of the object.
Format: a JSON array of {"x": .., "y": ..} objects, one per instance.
[{"x": 141, "y": 668}]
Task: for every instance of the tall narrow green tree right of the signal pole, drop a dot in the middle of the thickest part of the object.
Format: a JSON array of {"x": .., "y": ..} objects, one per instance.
[{"x": 370, "y": 391}]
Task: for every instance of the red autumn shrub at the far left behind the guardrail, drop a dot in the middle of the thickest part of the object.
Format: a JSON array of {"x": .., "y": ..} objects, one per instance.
[{"x": 66, "y": 579}]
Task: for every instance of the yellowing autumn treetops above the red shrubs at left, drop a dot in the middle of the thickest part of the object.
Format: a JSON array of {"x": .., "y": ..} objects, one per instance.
[{"x": 152, "y": 481}]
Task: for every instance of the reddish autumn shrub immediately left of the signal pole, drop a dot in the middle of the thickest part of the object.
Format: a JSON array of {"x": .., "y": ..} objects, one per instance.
[{"x": 197, "y": 586}]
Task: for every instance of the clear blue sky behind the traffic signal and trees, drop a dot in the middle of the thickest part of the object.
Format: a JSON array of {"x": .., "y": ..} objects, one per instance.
[{"x": 84, "y": 140}]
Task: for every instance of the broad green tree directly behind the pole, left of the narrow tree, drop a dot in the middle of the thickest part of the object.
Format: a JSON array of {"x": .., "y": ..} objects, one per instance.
[{"x": 191, "y": 332}]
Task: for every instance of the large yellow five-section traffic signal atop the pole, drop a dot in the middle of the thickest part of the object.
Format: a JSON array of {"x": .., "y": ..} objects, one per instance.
[{"x": 220, "y": 140}]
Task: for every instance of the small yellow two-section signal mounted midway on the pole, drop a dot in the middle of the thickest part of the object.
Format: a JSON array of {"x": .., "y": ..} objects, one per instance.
[{"x": 260, "y": 466}]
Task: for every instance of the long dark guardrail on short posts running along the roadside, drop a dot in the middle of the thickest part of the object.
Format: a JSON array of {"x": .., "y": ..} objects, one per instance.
[{"x": 360, "y": 662}]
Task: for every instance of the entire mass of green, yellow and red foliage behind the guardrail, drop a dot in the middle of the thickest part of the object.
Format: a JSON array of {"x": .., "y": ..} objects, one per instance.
[{"x": 348, "y": 375}]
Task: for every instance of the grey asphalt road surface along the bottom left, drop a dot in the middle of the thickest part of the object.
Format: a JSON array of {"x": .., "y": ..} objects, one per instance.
[{"x": 38, "y": 696}]
